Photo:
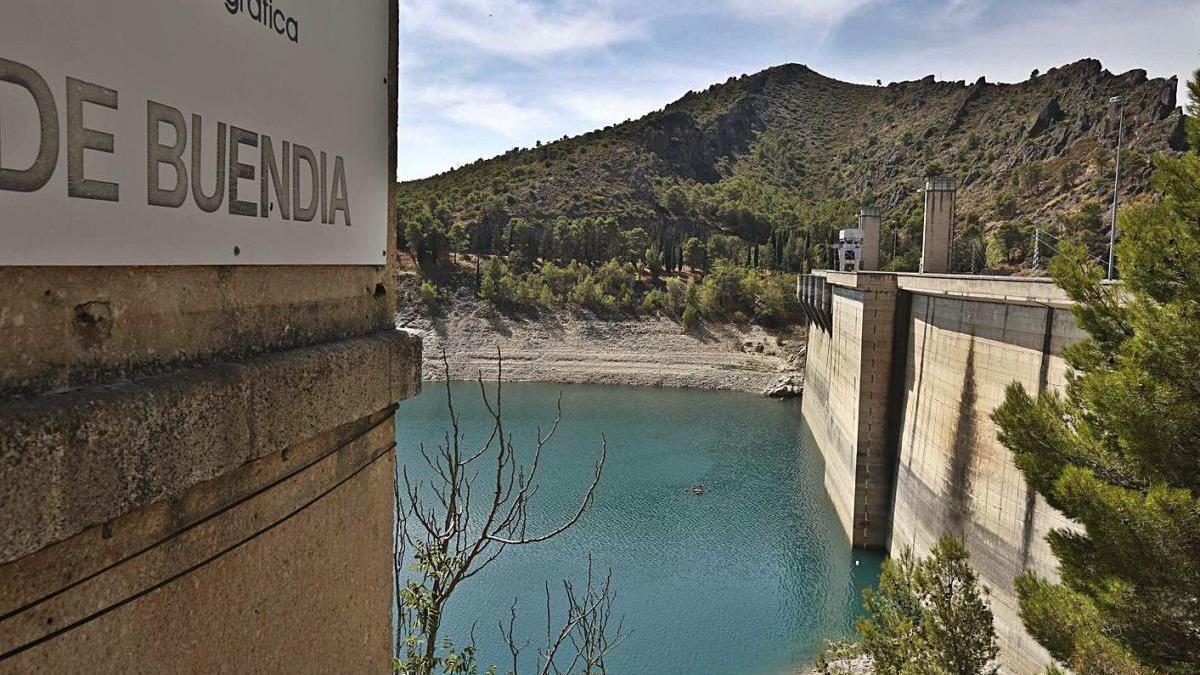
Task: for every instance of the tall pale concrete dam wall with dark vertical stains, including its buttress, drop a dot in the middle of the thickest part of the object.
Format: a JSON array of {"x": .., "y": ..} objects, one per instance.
[{"x": 899, "y": 399}]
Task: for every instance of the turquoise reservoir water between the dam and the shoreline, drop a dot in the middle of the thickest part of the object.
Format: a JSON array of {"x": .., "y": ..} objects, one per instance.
[{"x": 749, "y": 578}]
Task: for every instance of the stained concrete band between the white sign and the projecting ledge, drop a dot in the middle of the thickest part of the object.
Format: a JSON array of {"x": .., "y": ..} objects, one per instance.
[{"x": 74, "y": 327}]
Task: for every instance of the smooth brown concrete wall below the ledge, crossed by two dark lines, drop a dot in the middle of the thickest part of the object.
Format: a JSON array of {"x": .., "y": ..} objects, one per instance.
[{"x": 274, "y": 568}]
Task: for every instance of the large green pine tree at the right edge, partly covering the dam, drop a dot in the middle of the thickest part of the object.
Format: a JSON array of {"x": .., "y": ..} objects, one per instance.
[{"x": 1119, "y": 451}]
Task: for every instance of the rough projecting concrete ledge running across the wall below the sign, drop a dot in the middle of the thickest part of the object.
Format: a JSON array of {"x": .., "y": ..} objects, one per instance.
[{"x": 71, "y": 462}]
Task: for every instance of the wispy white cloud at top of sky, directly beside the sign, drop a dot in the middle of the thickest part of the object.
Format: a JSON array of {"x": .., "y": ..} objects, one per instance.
[{"x": 519, "y": 29}]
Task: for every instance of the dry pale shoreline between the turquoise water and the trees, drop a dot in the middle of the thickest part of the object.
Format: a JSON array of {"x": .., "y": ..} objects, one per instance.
[{"x": 563, "y": 347}]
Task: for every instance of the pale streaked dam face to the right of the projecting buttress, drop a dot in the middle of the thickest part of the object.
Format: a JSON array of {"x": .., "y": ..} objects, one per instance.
[{"x": 955, "y": 475}]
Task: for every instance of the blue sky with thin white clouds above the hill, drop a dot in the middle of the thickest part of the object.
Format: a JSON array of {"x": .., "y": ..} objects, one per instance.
[{"x": 479, "y": 77}]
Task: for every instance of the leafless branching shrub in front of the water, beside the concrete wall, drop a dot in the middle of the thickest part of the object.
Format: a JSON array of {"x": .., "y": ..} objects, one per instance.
[{"x": 475, "y": 507}]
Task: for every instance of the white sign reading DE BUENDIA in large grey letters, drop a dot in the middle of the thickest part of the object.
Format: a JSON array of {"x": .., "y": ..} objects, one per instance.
[{"x": 169, "y": 133}]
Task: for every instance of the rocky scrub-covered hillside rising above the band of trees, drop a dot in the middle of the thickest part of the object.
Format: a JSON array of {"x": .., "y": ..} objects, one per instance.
[{"x": 789, "y": 151}]
